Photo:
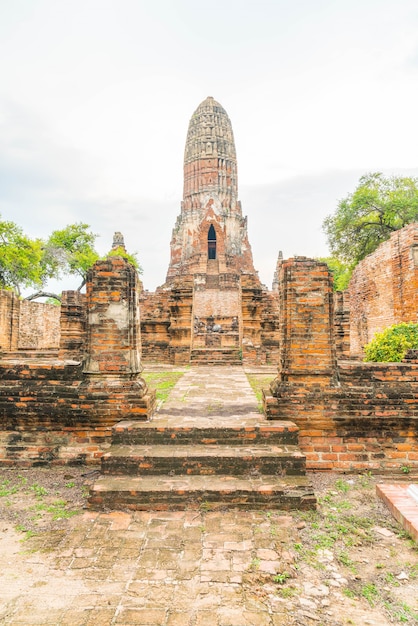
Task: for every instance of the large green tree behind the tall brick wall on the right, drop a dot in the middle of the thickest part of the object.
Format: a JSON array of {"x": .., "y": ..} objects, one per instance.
[{"x": 364, "y": 219}]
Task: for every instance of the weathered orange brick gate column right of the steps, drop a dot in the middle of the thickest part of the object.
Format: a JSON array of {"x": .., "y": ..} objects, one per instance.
[{"x": 307, "y": 361}]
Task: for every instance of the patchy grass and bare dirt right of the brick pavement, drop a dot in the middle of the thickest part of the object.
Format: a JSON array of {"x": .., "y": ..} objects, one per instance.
[{"x": 341, "y": 531}]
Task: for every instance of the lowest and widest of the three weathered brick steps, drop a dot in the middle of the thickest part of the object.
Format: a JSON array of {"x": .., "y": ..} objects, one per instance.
[{"x": 201, "y": 492}]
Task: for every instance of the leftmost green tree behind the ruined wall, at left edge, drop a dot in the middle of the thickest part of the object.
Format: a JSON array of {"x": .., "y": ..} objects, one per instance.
[{"x": 20, "y": 259}]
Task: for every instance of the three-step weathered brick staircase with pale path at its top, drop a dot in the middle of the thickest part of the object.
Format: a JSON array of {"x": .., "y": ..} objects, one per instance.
[{"x": 207, "y": 458}]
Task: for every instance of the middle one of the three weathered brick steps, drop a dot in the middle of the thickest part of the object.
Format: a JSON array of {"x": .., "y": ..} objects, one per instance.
[{"x": 209, "y": 460}]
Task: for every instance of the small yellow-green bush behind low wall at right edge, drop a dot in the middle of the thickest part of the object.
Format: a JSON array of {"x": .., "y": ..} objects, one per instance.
[{"x": 391, "y": 345}]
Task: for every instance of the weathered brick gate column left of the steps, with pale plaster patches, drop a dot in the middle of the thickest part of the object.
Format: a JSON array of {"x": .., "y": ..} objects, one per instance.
[{"x": 113, "y": 363}]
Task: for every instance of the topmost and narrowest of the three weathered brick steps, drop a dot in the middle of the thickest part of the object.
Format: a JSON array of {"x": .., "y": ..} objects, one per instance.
[{"x": 205, "y": 431}]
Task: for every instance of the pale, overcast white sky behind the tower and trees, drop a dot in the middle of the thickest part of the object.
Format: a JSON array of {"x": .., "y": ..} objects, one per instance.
[{"x": 96, "y": 97}]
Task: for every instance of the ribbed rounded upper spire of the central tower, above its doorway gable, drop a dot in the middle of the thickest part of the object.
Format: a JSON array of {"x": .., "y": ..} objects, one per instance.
[{"x": 210, "y": 162}]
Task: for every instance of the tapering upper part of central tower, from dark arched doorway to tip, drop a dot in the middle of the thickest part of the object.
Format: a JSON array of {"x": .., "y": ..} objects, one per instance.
[{"x": 210, "y": 232}]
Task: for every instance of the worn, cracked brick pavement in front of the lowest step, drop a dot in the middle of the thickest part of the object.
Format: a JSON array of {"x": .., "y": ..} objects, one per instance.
[{"x": 176, "y": 569}]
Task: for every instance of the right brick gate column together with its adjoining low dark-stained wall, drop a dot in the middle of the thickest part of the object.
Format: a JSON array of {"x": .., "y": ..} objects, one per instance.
[{"x": 352, "y": 417}]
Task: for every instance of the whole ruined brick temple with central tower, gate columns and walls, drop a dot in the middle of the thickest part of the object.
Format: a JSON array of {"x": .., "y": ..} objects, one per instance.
[{"x": 70, "y": 376}]
